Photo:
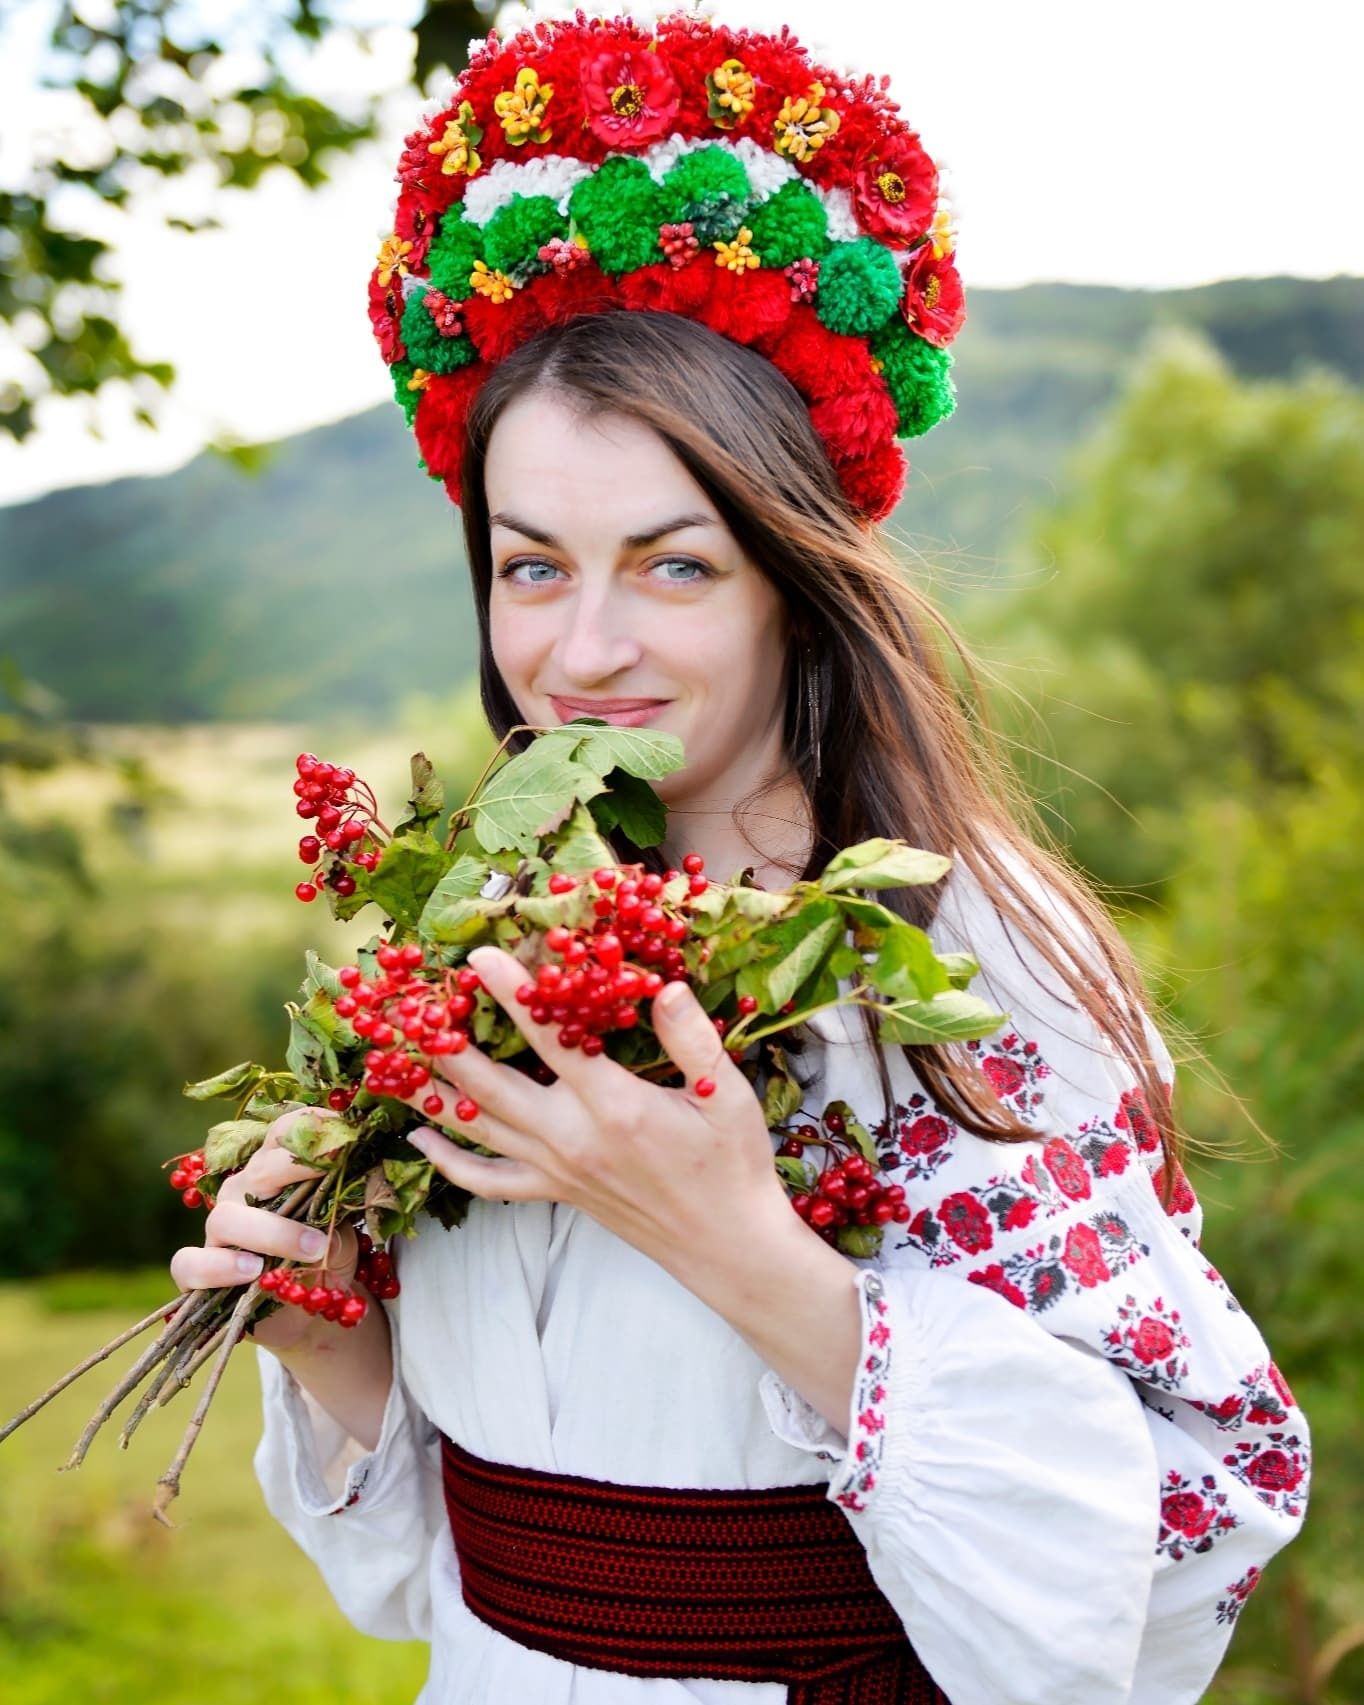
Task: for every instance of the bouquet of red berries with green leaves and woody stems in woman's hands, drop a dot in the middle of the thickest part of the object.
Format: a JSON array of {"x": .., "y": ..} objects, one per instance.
[{"x": 526, "y": 865}]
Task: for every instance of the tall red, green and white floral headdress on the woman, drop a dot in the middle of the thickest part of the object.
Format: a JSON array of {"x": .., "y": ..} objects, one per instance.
[{"x": 719, "y": 173}]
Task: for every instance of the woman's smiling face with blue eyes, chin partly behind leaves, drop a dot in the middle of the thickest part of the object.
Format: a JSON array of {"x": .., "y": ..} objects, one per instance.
[{"x": 620, "y": 592}]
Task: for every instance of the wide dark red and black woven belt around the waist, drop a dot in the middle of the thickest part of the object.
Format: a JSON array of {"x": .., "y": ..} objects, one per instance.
[{"x": 652, "y": 1581}]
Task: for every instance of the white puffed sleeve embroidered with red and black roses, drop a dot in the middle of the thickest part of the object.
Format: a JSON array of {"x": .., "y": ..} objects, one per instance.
[{"x": 1070, "y": 1455}]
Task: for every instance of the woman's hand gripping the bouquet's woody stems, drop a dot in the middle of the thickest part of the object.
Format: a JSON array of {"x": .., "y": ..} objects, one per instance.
[{"x": 236, "y": 1239}]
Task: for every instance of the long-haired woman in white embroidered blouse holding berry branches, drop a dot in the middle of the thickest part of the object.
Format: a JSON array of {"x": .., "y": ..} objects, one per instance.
[{"x": 1060, "y": 1447}]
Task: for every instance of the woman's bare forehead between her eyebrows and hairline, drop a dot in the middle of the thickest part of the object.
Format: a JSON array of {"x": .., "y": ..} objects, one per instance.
[{"x": 613, "y": 473}]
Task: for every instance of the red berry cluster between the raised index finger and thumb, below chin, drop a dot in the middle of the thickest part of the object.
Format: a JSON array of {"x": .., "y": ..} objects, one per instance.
[{"x": 589, "y": 990}]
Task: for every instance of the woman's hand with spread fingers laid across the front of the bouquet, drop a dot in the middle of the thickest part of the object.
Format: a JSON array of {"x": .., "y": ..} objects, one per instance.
[{"x": 679, "y": 1176}]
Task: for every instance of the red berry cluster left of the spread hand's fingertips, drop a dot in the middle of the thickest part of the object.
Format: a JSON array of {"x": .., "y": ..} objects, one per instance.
[{"x": 402, "y": 1010}]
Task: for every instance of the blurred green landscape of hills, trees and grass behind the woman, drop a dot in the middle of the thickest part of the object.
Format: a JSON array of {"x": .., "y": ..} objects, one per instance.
[{"x": 1148, "y": 521}]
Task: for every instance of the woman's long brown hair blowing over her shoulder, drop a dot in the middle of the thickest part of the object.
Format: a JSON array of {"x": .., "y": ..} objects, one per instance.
[{"x": 927, "y": 768}]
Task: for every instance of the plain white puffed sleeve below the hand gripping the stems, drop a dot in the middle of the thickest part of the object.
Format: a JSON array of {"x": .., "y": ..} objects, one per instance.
[{"x": 366, "y": 1518}]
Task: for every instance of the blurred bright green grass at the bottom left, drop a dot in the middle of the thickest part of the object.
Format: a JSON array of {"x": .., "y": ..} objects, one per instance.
[{"x": 100, "y": 1602}]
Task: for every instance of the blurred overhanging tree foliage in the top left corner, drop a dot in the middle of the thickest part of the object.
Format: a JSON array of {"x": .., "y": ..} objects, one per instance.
[{"x": 163, "y": 96}]
